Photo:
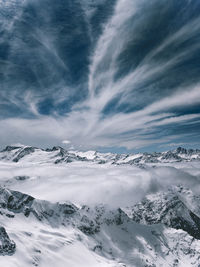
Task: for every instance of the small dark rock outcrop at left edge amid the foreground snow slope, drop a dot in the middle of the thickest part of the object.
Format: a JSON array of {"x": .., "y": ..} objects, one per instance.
[{"x": 7, "y": 246}]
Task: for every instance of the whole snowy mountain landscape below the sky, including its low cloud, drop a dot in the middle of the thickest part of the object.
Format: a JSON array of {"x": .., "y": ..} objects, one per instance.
[{"x": 101, "y": 210}]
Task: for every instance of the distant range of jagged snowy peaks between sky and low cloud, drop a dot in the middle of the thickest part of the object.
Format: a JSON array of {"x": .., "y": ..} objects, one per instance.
[{"x": 60, "y": 155}]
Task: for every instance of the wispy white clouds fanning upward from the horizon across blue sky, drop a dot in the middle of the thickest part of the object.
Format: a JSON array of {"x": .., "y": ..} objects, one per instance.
[{"x": 86, "y": 125}]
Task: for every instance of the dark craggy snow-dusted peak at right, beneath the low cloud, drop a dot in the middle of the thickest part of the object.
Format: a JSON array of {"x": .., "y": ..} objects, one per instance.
[{"x": 169, "y": 209}]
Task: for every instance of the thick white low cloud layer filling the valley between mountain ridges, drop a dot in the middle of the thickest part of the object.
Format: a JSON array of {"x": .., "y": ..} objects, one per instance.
[{"x": 89, "y": 183}]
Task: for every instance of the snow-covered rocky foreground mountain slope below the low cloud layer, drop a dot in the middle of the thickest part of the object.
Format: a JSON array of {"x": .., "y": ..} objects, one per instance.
[{"x": 108, "y": 236}]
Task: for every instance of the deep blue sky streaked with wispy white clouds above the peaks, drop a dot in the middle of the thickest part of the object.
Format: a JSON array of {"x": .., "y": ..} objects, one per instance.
[{"x": 107, "y": 75}]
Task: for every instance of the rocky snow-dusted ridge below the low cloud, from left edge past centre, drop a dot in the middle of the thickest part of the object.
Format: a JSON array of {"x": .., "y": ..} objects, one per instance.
[{"x": 86, "y": 219}]
